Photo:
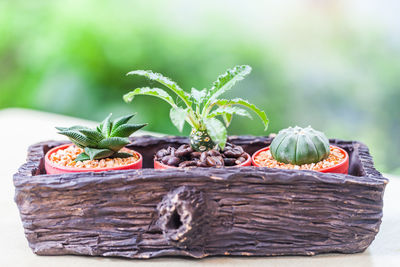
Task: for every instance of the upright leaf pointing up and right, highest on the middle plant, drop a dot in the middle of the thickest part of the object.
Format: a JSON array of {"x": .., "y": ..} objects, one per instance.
[{"x": 227, "y": 80}]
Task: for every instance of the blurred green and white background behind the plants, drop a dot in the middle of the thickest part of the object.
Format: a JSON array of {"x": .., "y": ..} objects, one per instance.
[{"x": 332, "y": 64}]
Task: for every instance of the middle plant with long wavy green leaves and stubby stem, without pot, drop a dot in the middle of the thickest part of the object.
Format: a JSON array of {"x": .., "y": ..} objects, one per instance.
[{"x": 202, "y": 107}]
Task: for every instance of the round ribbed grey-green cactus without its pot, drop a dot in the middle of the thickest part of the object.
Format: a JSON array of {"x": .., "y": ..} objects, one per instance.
[{"x": 300, "y": 146}]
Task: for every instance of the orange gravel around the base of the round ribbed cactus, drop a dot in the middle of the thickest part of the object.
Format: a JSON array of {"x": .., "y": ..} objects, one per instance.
[{"x": 265, "y": 159}]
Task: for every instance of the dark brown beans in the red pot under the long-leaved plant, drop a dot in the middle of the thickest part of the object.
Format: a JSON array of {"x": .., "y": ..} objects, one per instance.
[{"x": 185, "y": 156}]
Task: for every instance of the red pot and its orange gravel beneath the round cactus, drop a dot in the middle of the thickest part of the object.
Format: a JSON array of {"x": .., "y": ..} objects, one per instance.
[{"x": 337, "y": 161}]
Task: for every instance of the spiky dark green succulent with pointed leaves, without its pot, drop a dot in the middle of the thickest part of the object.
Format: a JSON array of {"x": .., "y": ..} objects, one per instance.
[{"x": 105, "y": 141}]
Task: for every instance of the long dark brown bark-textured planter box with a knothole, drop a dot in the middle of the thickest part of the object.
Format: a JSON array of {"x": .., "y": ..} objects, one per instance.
[{"x": 200, "y": 212}]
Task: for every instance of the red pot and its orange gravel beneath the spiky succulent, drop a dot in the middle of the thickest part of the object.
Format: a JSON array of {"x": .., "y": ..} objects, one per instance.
[{"x": 61, "y": 159}]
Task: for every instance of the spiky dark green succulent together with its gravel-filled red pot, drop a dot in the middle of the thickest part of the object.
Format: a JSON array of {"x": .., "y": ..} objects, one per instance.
[{"x": 100, "y": 149}]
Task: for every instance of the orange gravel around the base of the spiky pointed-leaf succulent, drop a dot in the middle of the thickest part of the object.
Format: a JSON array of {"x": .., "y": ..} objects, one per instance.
[{"x": 66, "y": 157}]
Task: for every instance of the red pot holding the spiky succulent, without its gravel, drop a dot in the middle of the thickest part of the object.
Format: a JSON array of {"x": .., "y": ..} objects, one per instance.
[{"x": 52, "y": 168}]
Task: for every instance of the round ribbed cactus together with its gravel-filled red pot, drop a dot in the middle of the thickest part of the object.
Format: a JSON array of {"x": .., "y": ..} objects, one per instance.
[{"x": 302, "y": 149}]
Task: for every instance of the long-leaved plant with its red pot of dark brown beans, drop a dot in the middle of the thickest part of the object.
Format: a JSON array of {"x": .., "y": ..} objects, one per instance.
[{"x": 208, "y": 146}]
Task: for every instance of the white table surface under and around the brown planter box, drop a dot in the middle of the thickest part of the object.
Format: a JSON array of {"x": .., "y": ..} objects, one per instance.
[{"x": 20, "y": 128}]
